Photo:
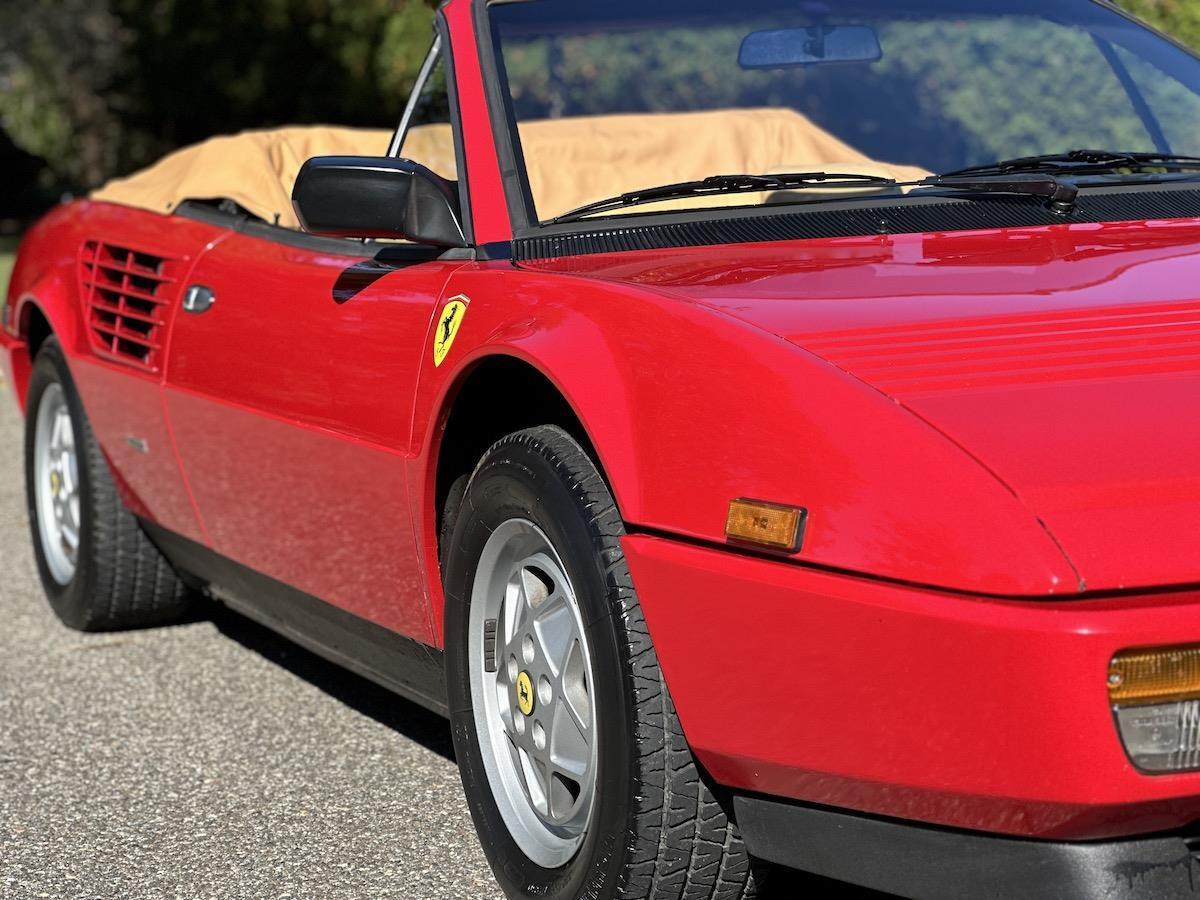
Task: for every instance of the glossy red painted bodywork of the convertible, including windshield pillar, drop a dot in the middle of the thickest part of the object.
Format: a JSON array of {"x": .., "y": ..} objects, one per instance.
[{"x": 994, "y": 433}]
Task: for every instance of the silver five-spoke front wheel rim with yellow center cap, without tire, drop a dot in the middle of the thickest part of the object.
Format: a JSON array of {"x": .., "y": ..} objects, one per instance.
[{"x": 531, "y": 674}]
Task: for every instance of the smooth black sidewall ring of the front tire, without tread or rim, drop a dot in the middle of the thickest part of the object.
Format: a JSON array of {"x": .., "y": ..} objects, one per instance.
[{"x": 521, "y": 483}]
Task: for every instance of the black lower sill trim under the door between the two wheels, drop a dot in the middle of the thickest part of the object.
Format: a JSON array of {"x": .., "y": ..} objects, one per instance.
[{"x": 394, "y": 662}]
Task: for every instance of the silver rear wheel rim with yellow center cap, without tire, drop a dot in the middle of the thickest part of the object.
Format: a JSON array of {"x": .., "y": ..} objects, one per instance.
[{"x": 57, "y": 483}]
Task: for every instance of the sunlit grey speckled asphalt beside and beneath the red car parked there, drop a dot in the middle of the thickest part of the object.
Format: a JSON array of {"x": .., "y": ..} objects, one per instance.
[{"x": 213, "y": 760}]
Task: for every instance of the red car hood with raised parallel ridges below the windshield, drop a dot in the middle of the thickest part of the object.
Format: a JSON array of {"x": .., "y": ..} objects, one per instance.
[{"x": 1065, "y": 361}]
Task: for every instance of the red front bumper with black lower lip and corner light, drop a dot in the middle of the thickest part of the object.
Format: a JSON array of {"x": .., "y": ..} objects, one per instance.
[{"x": 934, "y": 745}]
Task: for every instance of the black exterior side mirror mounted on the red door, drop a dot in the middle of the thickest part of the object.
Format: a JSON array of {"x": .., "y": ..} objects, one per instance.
[{"x": 377, "y": 197}]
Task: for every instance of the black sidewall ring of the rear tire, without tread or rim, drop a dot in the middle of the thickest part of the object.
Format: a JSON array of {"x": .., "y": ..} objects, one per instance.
[{"x": 69, "y": 602}]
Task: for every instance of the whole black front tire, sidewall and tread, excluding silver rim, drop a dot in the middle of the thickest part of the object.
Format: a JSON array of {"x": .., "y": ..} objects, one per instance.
[{"x": 658, "y": 830}]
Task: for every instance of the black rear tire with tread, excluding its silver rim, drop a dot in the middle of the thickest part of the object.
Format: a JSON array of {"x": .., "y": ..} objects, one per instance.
[{"x": 122, "y": 581}]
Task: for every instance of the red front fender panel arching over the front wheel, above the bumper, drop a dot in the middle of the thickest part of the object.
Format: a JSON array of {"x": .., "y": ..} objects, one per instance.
[{"x": 691, "y": 410}]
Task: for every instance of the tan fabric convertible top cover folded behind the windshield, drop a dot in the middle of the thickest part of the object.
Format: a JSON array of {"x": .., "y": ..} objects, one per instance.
[{"x": 572, "y": 161}]
